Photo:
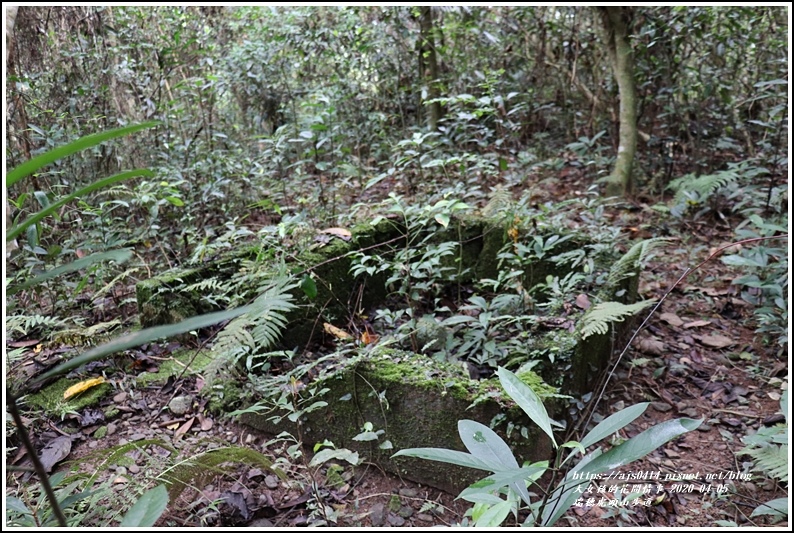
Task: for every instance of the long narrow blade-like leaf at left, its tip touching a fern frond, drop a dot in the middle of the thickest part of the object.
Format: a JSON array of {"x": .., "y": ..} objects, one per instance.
[{"x": 132, "y": 340}]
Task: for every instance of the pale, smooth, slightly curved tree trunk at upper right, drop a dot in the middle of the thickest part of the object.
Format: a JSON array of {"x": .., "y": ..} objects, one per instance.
[{"x": 616, "y": 21}]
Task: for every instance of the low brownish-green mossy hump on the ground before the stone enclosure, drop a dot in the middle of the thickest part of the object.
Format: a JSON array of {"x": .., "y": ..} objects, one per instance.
[{"x": 200, "y": 470}]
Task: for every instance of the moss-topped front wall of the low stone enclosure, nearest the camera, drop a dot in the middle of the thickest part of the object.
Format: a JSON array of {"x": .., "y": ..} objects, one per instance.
[{"x": 417, "y": 402}]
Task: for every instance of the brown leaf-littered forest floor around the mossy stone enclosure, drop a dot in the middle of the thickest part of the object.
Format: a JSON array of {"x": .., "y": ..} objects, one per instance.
[{"x": 698, "y": 357}]
